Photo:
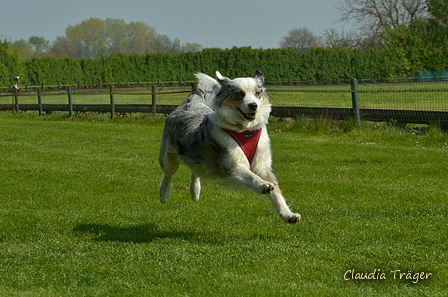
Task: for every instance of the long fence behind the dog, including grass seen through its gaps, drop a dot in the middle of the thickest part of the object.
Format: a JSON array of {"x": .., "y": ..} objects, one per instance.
[{"x": 402, "y": 101}]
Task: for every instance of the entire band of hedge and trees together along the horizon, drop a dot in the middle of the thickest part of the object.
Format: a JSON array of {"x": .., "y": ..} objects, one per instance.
[{"x": 407, "y": 36}]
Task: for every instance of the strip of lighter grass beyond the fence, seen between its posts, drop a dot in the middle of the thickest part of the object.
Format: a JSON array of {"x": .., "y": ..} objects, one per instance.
[{"x": 414, "y": 96}]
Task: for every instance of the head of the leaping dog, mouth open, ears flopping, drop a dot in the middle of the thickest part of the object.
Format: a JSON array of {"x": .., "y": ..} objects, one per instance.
[{"x": 241, "y": 103}]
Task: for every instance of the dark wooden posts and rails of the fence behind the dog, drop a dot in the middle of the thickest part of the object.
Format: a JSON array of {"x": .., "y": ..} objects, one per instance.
[{"x": 398, "y": 115}]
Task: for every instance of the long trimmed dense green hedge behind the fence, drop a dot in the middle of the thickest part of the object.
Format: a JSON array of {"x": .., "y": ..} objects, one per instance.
[{"x": 277, "y": 65}]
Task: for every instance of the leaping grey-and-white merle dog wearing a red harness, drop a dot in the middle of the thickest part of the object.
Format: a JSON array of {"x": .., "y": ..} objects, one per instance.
[{"x": 220, "y": 133}]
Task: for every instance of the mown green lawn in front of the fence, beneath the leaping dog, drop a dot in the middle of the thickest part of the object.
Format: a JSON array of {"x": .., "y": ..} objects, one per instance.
[{"x": 79, "y": 214}]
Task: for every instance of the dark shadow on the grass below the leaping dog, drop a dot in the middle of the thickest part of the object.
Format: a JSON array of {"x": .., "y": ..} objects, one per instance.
[{"x": 137, "y": 234}]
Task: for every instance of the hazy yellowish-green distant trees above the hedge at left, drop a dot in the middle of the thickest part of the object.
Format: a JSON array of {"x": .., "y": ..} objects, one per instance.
[{"x": 96, "y": 38}]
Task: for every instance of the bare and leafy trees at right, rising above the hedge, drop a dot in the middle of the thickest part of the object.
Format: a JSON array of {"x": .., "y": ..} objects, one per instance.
[{"x": 411, "y": 27}]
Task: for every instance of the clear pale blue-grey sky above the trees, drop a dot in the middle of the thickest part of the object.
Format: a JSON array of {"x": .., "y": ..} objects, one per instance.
[{"x": 211, "y": 23}]
